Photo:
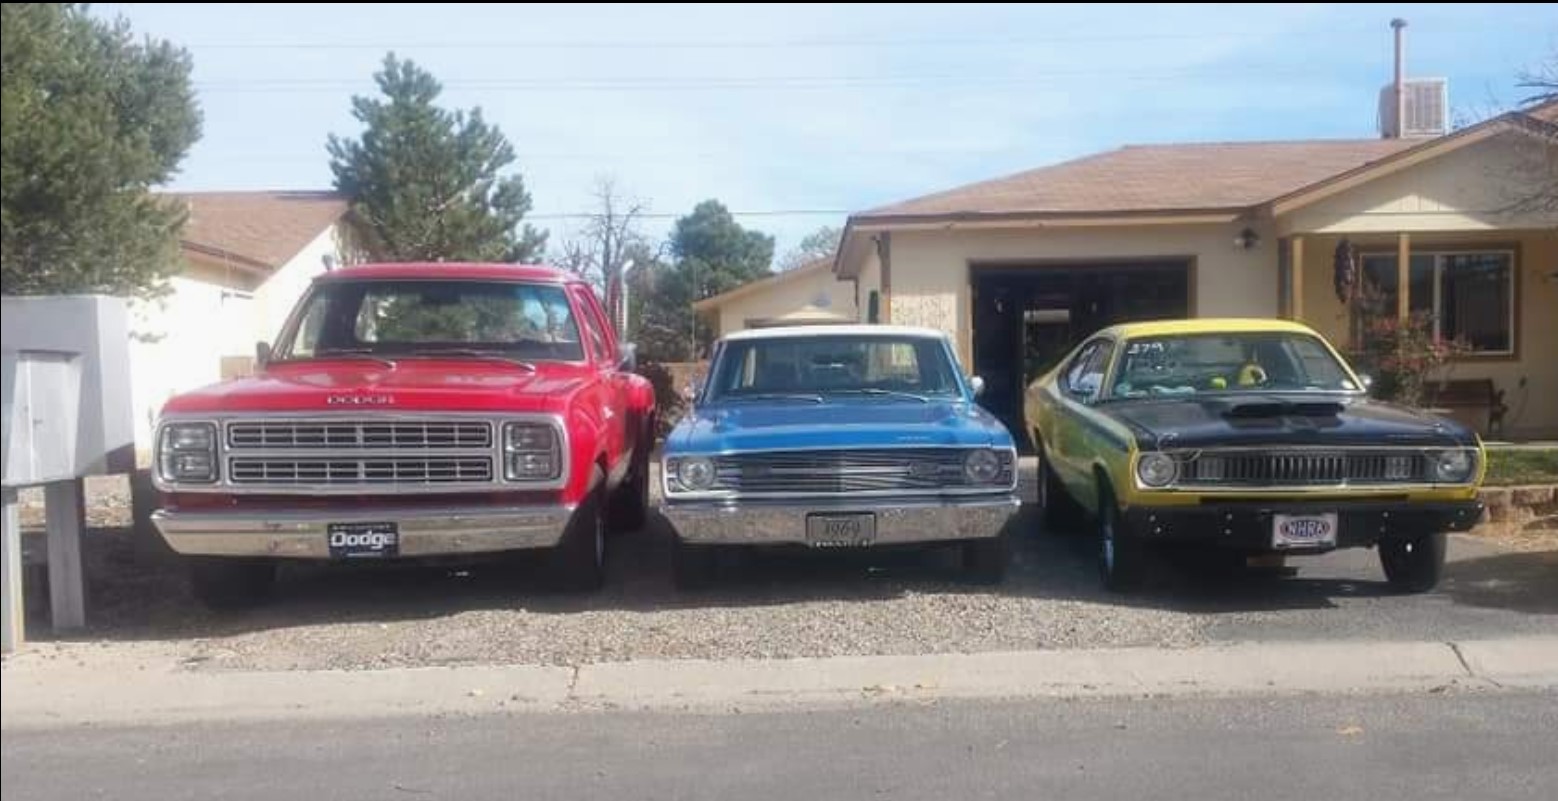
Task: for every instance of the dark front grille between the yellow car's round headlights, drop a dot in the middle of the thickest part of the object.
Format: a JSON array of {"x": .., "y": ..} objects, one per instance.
[{"x": 1300, "y": 468}]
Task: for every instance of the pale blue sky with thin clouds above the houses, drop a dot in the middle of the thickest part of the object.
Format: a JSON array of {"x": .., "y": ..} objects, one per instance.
[{"x": 817, "y": 108}]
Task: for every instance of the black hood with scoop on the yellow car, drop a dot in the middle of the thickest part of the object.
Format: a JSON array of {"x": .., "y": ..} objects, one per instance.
[{"x": 1281, "y": 420}]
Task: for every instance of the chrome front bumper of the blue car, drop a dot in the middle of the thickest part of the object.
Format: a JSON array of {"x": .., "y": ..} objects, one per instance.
[{"x": 784, "y": 523}]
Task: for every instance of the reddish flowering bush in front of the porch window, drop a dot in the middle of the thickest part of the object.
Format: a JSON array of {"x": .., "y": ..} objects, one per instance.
[{"x": 1405, "y": 356}]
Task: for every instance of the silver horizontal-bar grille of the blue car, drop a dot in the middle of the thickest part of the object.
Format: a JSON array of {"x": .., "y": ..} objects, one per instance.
[{"x": 915, "y": 470}]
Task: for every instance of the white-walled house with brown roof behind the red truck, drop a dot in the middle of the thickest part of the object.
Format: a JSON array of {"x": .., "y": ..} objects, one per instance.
[{"x": 247, "y": 256}]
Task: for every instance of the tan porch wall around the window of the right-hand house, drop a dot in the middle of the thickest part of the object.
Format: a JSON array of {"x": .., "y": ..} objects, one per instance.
[{"x": 1534, "y": 409}]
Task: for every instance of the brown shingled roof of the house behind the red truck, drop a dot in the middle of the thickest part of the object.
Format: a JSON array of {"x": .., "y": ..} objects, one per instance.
[{"x": 261, "y": 228}]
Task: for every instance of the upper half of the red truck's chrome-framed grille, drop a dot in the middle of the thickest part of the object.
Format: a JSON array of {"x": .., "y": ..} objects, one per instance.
[{"x": 359, "y": 436}]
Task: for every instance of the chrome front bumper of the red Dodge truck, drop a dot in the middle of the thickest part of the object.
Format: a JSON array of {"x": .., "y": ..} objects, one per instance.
[{"x": 303, "y": 535}]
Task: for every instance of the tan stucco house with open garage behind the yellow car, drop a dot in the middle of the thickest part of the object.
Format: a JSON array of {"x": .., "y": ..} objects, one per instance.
[{"x": 1020, "y": 269}]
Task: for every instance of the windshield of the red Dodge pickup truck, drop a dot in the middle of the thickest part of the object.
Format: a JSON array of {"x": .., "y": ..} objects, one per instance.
[{"x": 390, "y": 319}]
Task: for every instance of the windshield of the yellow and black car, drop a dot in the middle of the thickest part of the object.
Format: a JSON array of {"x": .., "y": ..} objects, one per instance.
[{"x": 1227, "y": 364}]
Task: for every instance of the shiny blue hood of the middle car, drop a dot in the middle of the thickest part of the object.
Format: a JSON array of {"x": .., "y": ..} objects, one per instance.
[{"x": 836, "y": 425}]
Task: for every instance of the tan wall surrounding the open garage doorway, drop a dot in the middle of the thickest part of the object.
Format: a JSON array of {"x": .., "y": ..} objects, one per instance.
[{"x": 932, "y": 278}]
